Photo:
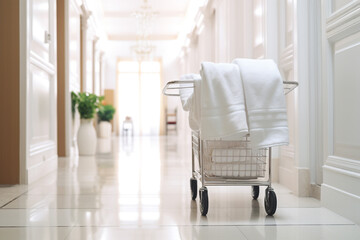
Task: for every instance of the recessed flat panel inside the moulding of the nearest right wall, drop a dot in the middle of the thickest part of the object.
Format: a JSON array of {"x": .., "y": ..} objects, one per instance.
[{"x": 346, "y": 95}]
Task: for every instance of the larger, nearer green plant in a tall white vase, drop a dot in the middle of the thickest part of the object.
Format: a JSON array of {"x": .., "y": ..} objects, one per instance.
[{"x": 87, "y": 104}]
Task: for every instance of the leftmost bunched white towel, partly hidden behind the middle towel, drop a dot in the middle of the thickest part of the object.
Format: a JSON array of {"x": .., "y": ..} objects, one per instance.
[{"x": 190, "y": 99}]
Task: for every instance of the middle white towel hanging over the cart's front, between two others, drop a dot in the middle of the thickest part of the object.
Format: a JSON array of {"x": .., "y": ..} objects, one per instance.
[{"x": 222, "y": 102}]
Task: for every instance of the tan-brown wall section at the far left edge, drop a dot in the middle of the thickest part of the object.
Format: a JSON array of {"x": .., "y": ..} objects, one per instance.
[{"x": 9, "y": 92}]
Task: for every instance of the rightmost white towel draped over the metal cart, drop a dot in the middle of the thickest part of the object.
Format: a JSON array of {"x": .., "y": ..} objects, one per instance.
[{"x": 265, "y": 102}]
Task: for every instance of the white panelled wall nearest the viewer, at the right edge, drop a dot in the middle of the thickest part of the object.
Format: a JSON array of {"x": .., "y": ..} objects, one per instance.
[{"x": 341, "y": 57}]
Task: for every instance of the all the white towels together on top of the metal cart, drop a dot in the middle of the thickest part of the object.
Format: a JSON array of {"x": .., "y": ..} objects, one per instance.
[{"x": 231, "y": 100}]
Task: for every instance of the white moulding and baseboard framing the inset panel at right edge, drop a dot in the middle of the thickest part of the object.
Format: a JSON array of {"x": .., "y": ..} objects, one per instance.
[{"x": 340, "y": 191}]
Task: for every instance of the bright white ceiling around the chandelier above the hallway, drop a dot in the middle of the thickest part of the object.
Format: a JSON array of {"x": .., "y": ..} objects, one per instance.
[{"x": 120, "y": 23}]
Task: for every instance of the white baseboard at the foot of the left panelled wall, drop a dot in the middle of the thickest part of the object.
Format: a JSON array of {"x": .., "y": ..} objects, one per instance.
[{"x": 41, "y": 169}]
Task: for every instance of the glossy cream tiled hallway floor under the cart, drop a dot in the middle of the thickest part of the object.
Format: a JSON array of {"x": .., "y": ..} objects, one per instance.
[{"x": 139, "y": 189}]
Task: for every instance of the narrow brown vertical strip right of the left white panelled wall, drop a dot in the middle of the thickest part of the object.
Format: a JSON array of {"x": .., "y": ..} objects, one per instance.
[{"x": 61, "y": 133}]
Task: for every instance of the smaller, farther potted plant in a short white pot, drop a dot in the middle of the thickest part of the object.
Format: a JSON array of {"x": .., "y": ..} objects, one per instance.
[{"x": 105, "y": 115}]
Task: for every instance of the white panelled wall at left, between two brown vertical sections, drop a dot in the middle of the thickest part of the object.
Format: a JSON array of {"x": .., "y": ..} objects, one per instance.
[{"x": 38, "y": 90}]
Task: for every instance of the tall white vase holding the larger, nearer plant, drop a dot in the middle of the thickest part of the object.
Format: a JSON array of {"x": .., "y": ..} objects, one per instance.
[{"x": 86, "y": 138}]
